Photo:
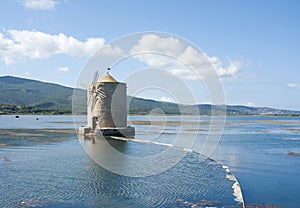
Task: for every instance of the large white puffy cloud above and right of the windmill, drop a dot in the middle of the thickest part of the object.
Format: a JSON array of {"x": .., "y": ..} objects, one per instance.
[{"x": 179, "y": 59}]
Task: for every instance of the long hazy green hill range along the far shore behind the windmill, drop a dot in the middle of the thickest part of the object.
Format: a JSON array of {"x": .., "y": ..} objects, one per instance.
[{"x": 41, "y": 95}]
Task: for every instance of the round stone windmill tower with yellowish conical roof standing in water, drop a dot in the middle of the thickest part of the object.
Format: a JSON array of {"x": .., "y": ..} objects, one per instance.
[{"x": 107, "y": 108}]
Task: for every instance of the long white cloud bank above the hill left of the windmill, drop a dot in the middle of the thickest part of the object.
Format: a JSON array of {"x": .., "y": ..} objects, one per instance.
[{"x": 16, "y": 45}]
